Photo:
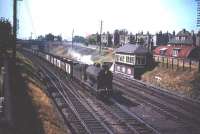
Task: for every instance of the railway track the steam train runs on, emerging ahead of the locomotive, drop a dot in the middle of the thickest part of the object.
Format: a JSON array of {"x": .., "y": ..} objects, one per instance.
[{"x": 133, "y": 123}]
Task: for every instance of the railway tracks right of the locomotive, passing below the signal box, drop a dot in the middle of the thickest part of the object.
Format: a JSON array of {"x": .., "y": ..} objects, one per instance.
[{"x": 179, "y": 110}]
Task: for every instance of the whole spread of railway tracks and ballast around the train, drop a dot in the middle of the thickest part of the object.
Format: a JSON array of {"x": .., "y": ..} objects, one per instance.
[{"x": 118, "y": 114}]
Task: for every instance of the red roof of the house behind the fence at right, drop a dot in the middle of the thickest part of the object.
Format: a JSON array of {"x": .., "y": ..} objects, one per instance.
[{"x": 184, "y": 51}]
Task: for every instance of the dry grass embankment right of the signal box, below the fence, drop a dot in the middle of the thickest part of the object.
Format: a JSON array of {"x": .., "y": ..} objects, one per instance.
[{"x": 183, "y": 82}]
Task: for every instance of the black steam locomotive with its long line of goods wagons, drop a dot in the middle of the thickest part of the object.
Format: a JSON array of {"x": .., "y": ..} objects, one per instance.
[{"x": 92, "y": 73}]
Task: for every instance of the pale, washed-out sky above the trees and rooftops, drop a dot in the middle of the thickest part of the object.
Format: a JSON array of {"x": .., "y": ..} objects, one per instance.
[{"x": 60, "y": 17}]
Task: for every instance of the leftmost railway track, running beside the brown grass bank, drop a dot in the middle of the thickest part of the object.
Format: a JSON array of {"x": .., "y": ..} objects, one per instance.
[{"x": 82, "y": 119}]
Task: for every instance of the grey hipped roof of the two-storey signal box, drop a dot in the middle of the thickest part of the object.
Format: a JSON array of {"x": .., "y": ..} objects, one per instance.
[{"x": 132, "y": 49}]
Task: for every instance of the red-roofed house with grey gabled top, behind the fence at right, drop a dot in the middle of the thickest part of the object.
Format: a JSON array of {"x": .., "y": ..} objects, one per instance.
[{"x": 182, "y": 46}]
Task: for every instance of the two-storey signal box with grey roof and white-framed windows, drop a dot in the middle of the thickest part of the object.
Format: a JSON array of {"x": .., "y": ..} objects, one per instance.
[{"x": 132, "y": 60}]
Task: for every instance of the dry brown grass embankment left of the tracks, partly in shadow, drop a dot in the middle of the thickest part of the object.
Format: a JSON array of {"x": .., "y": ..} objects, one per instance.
[{"x": 36, "y": 112}]
